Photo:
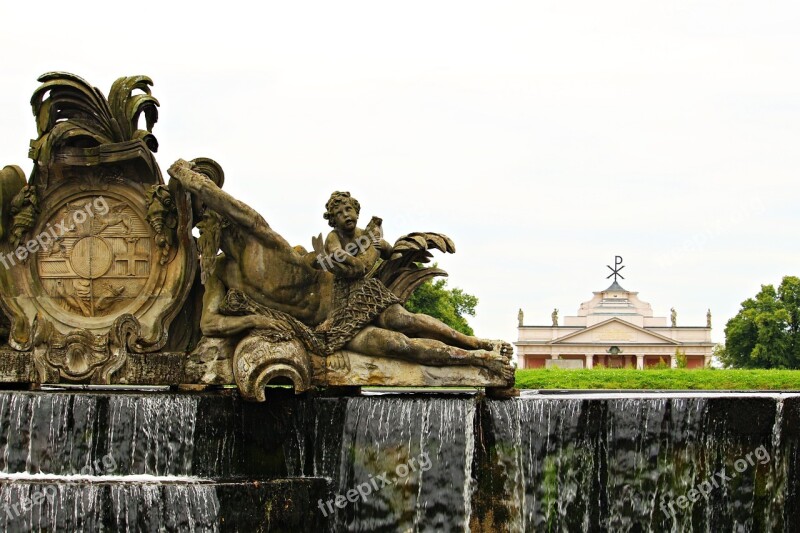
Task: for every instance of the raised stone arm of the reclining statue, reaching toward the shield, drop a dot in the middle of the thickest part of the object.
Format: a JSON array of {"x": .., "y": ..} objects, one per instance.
[{"x": 223, "y": 203}]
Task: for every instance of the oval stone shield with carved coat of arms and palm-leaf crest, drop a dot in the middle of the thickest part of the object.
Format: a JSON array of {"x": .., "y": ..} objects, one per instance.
[{"x": 96, "y": 250}]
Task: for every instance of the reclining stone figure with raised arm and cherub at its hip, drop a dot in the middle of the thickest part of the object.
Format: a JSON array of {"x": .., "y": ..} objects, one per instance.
[{"x": 261, "y": 282}]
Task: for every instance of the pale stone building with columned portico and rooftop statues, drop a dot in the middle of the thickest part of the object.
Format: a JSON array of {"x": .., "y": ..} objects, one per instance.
[{"x": 614, "y": 329}]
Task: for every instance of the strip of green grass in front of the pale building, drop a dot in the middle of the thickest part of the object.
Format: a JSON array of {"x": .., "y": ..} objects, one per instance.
[{"x": 681, "y": 379}]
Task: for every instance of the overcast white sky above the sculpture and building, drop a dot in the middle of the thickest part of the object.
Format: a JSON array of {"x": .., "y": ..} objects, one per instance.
[{"x": 543, "y": 137}]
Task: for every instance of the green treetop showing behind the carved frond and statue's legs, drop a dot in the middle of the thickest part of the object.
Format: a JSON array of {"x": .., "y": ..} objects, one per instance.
[{"x": 448, "y": 305}]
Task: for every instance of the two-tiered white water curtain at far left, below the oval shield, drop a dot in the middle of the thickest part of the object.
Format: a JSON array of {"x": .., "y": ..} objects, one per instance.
[{"x": 59, "y": 452}]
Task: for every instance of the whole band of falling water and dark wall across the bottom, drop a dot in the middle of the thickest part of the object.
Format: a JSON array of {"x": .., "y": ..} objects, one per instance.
[{"x": 426, "y": 462}]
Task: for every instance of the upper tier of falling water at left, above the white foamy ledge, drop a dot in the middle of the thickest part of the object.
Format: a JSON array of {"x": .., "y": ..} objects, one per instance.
[{"x": 69, "y": 433}]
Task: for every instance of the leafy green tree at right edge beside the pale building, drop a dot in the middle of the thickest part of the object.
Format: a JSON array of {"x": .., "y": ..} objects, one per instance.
[{"x": 765, "y": 333}]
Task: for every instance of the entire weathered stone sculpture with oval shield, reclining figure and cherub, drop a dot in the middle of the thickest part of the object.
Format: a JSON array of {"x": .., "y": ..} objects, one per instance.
[{"x": 98, "y": 261}]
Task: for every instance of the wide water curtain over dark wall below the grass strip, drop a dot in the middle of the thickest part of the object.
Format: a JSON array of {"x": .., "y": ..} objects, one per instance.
[{"x": 639, "y": 464}]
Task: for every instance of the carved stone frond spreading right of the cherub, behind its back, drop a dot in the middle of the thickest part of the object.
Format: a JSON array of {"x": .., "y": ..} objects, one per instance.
[{"x": 403, "y": 272}]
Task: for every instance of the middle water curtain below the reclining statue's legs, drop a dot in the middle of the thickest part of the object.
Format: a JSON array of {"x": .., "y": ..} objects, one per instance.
[{"x": 414, "y": 455}]
